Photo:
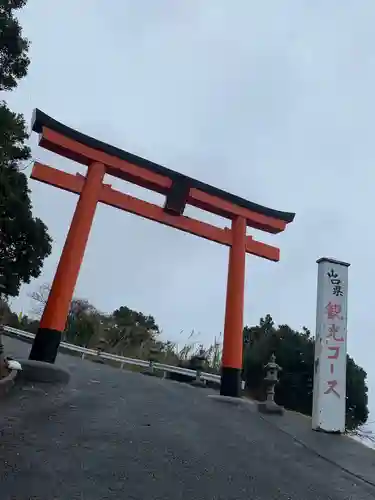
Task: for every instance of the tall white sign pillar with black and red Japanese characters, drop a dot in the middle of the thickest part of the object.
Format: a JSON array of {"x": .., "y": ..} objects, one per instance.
[{"x": 329, "y": 397}]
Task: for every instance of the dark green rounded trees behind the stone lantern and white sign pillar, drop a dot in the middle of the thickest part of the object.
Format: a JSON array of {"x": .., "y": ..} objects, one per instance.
[{"x": 295, "y": 354}]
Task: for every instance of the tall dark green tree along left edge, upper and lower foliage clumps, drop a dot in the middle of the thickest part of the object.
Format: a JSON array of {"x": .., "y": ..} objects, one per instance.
[{"x": 24, "y": 241}]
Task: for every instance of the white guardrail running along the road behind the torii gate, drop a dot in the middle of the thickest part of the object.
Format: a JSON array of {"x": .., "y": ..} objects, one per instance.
[{"x": 209, "y": 377}]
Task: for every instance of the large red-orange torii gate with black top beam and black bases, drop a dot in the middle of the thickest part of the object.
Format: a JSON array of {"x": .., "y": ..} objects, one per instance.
[{"x": 179, "y": 190}]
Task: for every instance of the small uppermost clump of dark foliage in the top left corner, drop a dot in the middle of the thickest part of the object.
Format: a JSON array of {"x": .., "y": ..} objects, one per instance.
[{"x": 14, "y": 60}]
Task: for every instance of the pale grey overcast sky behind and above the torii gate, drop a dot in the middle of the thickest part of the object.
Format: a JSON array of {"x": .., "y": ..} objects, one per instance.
[{"x": 271, "y": 100}]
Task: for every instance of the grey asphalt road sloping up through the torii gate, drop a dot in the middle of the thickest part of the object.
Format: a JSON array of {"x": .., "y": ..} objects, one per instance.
[{"x": 114, "y": 434}]
